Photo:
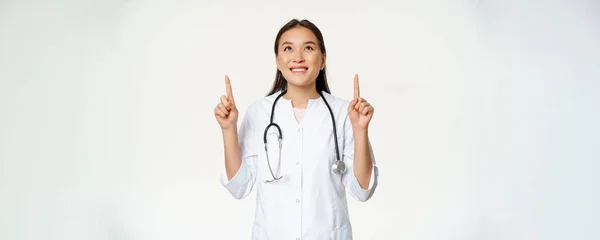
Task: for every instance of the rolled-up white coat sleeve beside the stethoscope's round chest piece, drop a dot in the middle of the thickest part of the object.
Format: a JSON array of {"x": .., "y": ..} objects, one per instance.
[{"x": 349, "y": 178}]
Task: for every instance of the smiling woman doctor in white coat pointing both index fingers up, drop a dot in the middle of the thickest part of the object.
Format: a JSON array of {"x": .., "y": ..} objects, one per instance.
[{"x": 300, "y": 147}]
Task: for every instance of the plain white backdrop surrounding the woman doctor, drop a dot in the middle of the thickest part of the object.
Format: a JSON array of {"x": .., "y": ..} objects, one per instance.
[{"x": 485, "y": 124}]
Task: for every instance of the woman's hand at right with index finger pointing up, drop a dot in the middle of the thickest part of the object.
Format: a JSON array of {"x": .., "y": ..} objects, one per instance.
[{"x": 360, "y": 111}]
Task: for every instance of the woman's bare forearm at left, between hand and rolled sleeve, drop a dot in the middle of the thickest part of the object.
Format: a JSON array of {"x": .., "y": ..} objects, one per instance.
[{"x": 233, "y": 156}]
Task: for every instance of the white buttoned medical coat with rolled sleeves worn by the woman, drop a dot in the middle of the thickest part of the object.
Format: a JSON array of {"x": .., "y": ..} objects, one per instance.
[{"x": 309, "y": 202}]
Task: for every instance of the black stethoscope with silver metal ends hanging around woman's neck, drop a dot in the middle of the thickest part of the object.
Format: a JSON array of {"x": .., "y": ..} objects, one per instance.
[{"x": 337, "y": 167}]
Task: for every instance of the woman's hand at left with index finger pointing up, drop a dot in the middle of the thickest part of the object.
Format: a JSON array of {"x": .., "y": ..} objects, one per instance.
[{"x": 226, "y": 112}]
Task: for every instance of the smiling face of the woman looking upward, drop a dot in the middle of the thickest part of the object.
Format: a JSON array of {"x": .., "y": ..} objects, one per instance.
[{"x": 299, "y": 56}]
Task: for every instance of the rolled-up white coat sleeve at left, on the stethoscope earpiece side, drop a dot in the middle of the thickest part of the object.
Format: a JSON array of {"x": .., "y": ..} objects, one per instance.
[{"x": 241, "y": 184}]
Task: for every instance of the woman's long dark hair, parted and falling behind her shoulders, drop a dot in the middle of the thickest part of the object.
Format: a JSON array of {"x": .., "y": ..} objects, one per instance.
[{"x": 280, "y": 82}]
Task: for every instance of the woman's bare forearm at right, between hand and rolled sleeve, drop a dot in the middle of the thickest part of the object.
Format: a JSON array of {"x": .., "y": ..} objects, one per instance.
[{"x": 363, "y": 164}]
